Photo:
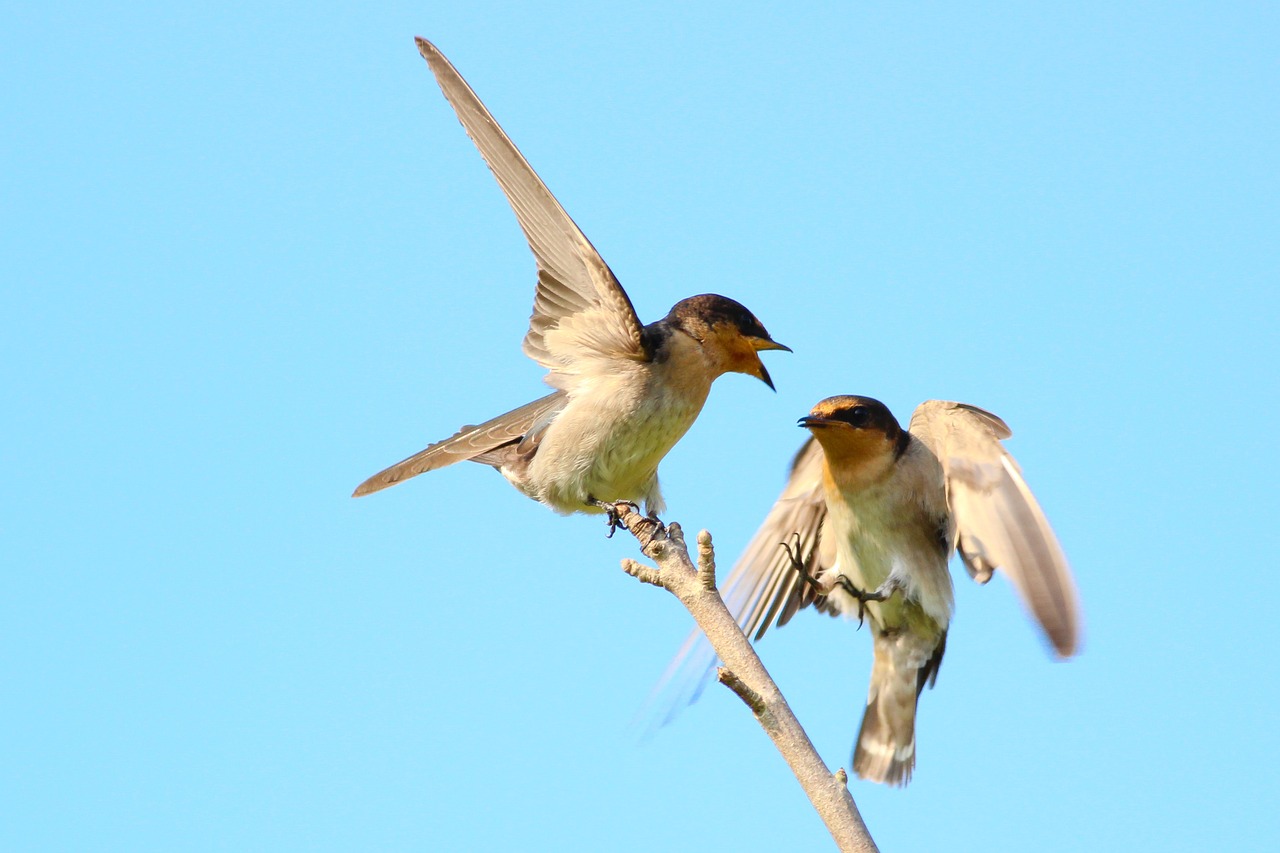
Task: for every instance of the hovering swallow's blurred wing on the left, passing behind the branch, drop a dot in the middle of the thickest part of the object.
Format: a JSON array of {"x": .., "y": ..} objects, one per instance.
[{"x": 764, "y": 589}]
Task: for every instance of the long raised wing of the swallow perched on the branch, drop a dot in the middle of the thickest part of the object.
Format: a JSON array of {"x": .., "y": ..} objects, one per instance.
[{"x": 580, "y": 311}]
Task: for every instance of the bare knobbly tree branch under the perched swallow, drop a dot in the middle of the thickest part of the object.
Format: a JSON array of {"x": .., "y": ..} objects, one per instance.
[{"x": 743, "y": 672}]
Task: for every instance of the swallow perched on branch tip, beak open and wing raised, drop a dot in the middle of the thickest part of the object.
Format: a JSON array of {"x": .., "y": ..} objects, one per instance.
[{"x": 625, "y": 393}]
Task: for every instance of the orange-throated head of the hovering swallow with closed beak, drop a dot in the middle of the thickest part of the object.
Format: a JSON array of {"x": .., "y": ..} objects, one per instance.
[{"x": 860, "y": 436}]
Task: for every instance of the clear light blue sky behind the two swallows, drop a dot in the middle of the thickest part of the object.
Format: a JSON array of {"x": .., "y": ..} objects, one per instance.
[{"x": 249, "y": 258}]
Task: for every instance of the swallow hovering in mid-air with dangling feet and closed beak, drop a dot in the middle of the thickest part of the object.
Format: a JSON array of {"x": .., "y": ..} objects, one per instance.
[{"x": 865, "y": 530}]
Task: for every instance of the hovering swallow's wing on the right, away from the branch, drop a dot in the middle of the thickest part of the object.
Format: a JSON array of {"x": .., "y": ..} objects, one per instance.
[{"x": 999, "y": 523}]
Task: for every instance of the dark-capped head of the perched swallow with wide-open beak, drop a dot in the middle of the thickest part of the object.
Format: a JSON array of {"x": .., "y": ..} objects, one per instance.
[{"x": 730, "y": 335}]
